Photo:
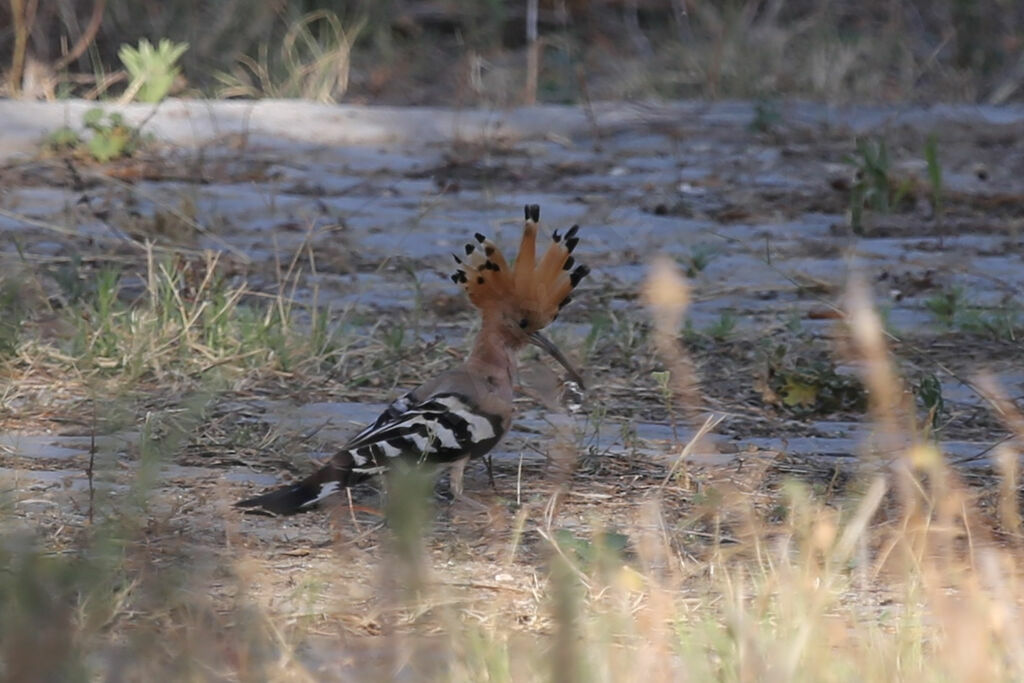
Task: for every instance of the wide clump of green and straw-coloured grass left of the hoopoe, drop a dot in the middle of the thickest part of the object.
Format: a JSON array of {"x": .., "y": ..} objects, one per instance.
[{"x": 188, "y": 319}]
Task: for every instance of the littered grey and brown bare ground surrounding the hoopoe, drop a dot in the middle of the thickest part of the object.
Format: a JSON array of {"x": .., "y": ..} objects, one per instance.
[{"x": 754, "y": 204}]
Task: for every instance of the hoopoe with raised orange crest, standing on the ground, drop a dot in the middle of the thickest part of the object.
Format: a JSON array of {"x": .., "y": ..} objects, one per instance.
[{"x": 463, "y": 413}]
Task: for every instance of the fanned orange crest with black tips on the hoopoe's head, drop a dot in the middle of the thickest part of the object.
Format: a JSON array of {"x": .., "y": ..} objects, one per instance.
[{"x": 540, "y": 287}]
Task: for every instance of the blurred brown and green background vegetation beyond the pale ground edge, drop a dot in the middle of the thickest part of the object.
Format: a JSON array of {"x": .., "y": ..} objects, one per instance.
[{"x": 476, "y": 53}]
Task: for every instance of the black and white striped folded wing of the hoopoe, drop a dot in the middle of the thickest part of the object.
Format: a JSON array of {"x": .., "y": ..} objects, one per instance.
[{"x": 443, "y": 429}]
